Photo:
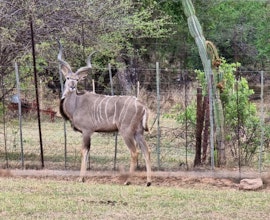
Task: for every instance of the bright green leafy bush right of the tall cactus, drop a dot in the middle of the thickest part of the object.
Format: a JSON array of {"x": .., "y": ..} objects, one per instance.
[{"x": 242, "y": 130}]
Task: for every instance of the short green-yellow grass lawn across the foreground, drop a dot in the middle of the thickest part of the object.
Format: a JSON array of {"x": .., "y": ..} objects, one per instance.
[{"x": 51, "y": 199}]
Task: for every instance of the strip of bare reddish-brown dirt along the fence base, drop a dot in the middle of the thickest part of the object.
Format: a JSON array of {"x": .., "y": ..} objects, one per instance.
[{"x": 201, "y": 179}]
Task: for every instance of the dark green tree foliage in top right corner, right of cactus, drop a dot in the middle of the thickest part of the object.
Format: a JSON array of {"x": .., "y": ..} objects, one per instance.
[{"x": 238, "y": 28}]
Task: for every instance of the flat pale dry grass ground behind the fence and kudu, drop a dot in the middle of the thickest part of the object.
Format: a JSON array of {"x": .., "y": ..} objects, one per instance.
[{"x": 102, "y": 147}]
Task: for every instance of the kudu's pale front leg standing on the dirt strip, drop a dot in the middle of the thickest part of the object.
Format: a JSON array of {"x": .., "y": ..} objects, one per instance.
[{"x": 85, "y": 156}]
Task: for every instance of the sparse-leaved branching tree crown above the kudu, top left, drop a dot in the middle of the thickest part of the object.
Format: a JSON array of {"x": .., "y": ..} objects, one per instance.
[{"x": 111, "y": 27}]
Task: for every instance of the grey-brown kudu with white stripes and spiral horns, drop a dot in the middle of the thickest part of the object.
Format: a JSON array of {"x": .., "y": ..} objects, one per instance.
[{"x": 89, "y": 112}]
